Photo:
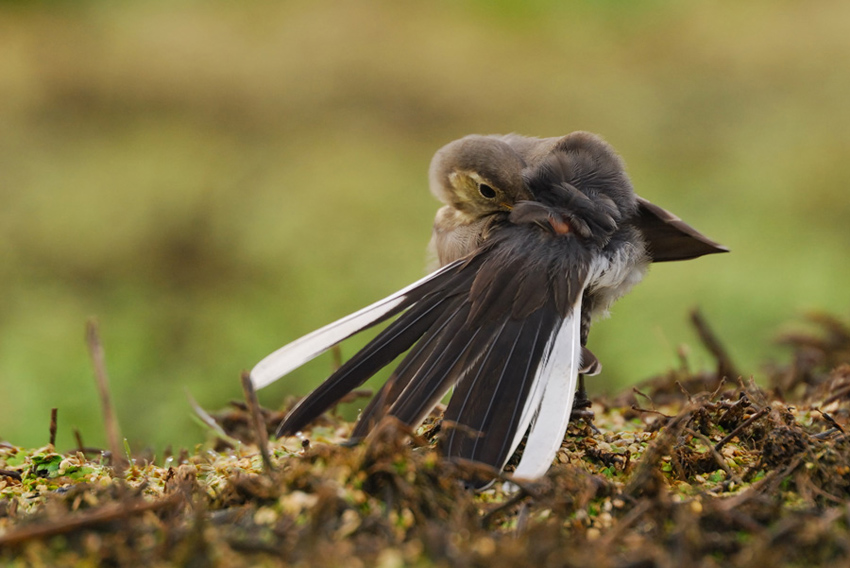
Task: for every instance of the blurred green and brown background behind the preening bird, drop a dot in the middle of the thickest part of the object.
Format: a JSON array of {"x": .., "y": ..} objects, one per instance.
[{"x": 214, "y": 179}]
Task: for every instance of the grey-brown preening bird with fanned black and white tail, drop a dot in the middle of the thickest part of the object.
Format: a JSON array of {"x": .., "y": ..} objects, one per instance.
[{"x": 537, "y": 237}]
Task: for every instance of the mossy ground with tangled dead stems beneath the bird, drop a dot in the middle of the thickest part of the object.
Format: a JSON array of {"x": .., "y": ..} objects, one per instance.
[{"x": 689, "y": 469}]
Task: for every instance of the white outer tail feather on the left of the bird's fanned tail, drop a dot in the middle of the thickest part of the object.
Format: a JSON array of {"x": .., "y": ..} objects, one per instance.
[{"x": 306, "y": 348}]
